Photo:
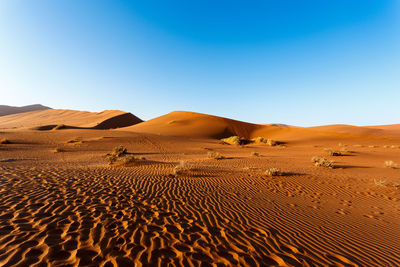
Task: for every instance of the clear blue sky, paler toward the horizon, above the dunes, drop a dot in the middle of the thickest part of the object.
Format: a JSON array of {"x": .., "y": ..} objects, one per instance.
[{"x": 296, "y": 62}]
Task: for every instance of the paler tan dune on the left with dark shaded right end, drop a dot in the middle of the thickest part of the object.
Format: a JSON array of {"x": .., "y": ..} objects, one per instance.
[{"x": 47, "y": 119}]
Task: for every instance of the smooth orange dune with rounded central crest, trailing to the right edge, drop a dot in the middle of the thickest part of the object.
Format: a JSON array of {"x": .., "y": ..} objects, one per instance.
[{"x": 197, "y": 125}]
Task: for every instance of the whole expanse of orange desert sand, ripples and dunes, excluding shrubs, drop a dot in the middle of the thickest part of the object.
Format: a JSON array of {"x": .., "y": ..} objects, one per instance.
[{"x": 69, "y": 207}]
